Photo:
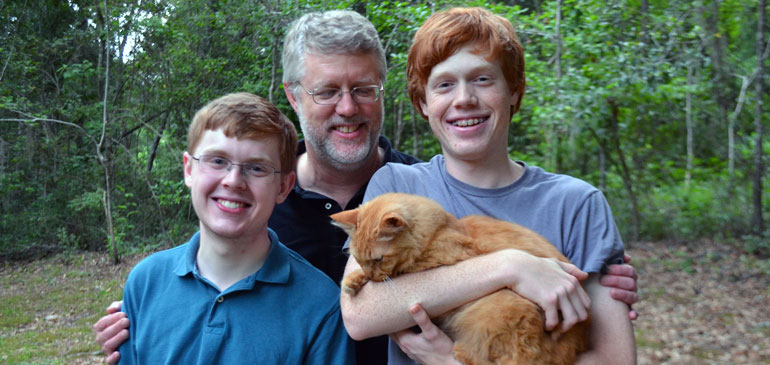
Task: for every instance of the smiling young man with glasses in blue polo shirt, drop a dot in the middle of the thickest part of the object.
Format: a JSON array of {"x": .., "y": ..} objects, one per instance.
[{"x": 233, "y": 293}]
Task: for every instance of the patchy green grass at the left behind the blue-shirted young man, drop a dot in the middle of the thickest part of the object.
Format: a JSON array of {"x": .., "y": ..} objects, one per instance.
[{"x": 47, "y": 307}]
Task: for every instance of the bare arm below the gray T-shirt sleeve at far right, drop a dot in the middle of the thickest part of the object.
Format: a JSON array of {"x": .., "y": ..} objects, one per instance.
[{"x": 611, "y": 336}]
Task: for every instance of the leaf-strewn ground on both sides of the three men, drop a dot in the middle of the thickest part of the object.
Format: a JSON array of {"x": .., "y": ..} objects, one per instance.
[{"x": 701, "y": 303}]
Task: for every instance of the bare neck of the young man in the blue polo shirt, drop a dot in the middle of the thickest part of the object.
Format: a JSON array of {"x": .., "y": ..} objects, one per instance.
[{"x": 225, "y": 261}]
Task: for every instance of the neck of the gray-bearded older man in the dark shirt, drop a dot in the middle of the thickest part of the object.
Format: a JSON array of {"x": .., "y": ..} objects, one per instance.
[{"x": 340, "y": 184}]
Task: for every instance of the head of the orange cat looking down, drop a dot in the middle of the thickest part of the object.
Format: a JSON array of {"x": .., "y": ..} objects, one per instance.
[{"x": 388, "y": 231}]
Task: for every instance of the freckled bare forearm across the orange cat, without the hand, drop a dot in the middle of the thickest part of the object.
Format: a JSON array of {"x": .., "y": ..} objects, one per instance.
[{"x": 383, "y": 307}]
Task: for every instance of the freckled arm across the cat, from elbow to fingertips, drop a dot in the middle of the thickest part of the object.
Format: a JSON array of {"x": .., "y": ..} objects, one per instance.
[{"x": 382, "y": 308}]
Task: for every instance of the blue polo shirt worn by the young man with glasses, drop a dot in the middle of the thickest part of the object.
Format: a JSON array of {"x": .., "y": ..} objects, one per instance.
[{"x": 286, "y": 313}]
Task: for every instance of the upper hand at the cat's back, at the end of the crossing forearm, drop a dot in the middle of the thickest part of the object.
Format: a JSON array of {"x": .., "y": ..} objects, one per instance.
[{"x": 554, "y": 286}]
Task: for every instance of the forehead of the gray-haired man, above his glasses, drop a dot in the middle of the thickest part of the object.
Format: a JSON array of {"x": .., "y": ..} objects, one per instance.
[{"x": 341, "y": 69}]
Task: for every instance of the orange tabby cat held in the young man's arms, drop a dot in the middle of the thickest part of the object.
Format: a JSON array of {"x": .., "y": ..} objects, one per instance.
[{"x": 399, "y": 233}]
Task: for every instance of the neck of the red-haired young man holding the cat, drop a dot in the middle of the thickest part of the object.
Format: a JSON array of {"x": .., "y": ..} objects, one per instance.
[{"x": 486, "y": 172}]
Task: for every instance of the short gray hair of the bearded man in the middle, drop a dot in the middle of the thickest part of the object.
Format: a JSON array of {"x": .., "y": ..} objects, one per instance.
[{"x": 336, "y": 32}]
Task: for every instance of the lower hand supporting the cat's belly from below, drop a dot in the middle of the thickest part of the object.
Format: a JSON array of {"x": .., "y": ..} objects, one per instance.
[{"x": 431, "y": 346}]
